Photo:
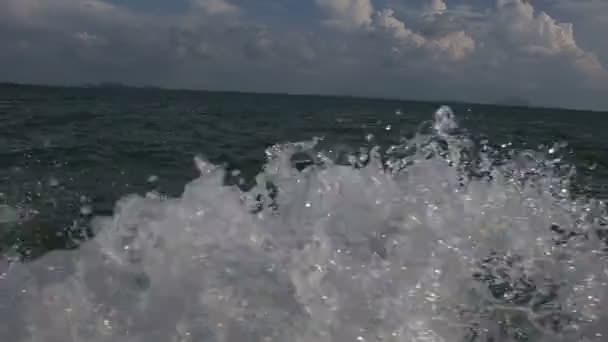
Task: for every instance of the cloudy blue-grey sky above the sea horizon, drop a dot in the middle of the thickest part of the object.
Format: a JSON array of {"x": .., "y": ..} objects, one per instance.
[{"x": 549, "y": 52}]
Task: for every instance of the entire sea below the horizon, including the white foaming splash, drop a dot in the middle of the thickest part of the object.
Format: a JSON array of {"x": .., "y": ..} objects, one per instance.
[{"x": 142, "y": 214}]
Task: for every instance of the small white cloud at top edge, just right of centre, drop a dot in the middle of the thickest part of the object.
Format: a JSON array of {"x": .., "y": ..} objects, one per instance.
[{"x": 347, "y": 14}]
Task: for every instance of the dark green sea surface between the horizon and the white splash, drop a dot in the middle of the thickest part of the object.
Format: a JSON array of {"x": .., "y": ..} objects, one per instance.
[{"x": 63, "y": 144}]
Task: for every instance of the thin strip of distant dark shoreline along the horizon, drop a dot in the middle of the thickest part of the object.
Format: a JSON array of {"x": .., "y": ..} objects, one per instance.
[{"x": 510, "y": 102}]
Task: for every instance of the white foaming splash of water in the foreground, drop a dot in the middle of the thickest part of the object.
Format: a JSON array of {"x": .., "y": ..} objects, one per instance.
[{"x": 438, "y": 239}]
